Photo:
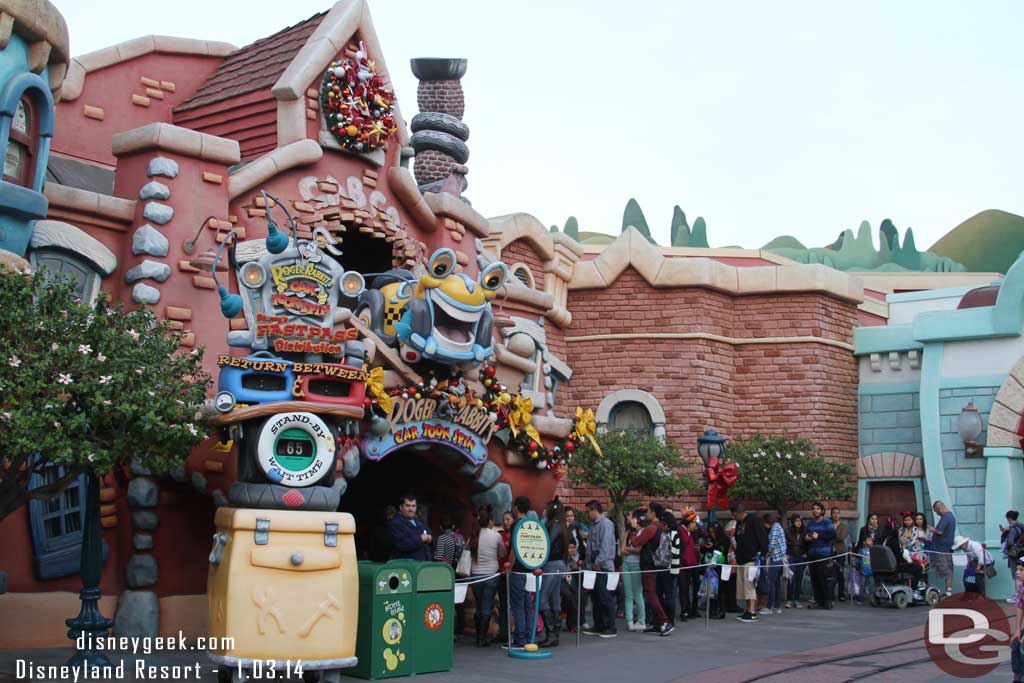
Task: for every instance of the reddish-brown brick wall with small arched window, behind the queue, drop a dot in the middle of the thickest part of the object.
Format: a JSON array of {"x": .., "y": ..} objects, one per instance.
[{"x": 809, "y": 390}]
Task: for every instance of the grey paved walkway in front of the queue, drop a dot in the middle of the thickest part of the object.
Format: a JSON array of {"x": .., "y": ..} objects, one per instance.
[{"x": 847, "y": 644}]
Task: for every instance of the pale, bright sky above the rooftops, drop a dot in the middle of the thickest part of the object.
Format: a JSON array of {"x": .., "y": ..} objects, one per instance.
[{"x": 767, "y": 119}]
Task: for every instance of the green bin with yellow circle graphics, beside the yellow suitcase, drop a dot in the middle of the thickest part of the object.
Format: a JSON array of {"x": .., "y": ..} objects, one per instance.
[{"x": 386, "y": 638}]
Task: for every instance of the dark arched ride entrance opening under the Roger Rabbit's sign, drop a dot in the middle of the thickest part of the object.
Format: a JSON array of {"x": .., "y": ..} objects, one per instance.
[{"x": 442, "y": 480}]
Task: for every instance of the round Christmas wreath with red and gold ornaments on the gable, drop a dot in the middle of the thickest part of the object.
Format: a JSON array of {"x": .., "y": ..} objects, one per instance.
[{"x": 358, "y": 108}]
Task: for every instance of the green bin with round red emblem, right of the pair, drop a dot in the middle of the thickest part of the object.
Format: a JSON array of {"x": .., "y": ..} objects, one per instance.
[{"x": 434, "y": 618}]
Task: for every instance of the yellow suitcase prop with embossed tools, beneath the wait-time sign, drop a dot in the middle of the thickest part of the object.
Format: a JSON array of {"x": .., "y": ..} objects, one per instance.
[{"x": 284, "y": 585}]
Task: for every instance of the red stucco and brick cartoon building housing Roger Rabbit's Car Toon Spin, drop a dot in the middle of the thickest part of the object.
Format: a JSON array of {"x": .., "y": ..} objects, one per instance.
[{"x": 165, "y": 147}]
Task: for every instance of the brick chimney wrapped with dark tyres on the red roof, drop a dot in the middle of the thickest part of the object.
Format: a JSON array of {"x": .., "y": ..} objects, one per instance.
[{"x": 439, "y": 133}]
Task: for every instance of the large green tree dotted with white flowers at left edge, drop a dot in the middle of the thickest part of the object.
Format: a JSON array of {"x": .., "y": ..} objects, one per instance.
[{"x": 89, "y": 389}]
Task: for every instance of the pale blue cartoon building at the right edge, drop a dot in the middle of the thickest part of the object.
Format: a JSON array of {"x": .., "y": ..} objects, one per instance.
[{"x": 941, "y": 406}]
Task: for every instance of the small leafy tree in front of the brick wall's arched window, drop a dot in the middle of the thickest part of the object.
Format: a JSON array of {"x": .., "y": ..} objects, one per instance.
[{"x": 631, "y": 465}]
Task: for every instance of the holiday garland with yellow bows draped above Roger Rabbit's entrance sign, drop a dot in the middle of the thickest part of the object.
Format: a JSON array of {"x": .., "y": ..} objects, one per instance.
[{"x": 510, "y": 413}]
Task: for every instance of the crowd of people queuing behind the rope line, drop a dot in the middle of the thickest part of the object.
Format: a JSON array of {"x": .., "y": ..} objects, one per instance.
[{"x": 667, "y": 569}]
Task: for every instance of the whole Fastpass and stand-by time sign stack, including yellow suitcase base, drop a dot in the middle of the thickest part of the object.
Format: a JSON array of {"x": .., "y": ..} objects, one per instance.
[{"x": 283, "y": 578}]
